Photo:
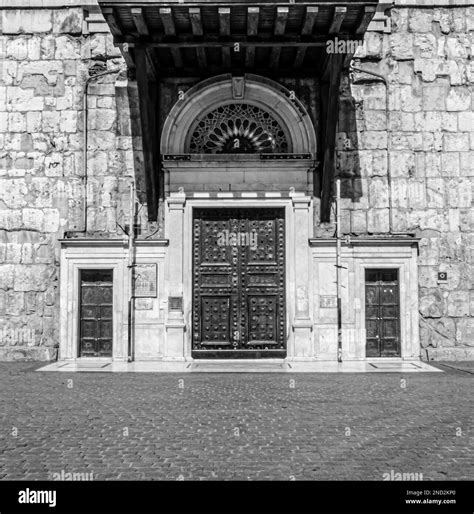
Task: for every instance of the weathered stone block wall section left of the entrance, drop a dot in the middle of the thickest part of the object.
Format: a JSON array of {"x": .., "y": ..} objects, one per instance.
[{"x": 45, "y": 62}]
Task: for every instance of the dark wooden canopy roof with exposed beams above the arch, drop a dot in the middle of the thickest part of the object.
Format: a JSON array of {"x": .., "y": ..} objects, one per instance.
[{"x": 206, "y": 37}]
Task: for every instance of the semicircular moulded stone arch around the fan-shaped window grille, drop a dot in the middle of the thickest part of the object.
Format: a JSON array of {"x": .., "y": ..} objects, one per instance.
[{"x": 254, "y": 90}]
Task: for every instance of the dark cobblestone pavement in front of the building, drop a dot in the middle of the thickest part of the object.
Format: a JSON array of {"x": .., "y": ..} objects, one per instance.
[{"x": 235, "y": 426}]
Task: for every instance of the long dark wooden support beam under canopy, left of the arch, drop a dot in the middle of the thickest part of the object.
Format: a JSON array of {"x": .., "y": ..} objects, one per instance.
[{"x": 149, "y": 123}]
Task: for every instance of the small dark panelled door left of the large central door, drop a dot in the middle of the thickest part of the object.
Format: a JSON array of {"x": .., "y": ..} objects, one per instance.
[{"x": 96, "y": 309}]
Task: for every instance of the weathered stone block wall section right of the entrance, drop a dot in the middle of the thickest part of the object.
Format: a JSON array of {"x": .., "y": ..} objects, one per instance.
[{"x": 426, "y": 61}]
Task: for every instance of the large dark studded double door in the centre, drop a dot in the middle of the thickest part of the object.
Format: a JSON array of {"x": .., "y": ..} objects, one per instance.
[{"x": 238, "y": 283}]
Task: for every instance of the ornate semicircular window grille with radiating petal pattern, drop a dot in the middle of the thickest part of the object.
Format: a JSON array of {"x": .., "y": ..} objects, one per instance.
[{"x": 238, "y": 128}]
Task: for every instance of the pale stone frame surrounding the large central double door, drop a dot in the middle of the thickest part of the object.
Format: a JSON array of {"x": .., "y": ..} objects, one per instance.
[{"x": 298, "y": 229}]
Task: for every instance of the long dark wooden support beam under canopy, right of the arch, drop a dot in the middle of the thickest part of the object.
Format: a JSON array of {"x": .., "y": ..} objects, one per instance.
[{"x": 330, "y": 104}]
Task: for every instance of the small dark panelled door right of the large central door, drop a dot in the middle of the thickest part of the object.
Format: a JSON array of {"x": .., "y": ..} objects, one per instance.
[{"x": 382, "y": 313}]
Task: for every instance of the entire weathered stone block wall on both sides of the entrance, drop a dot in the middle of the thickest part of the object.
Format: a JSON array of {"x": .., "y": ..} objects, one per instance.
[{"x": 46, "y": 59}]
